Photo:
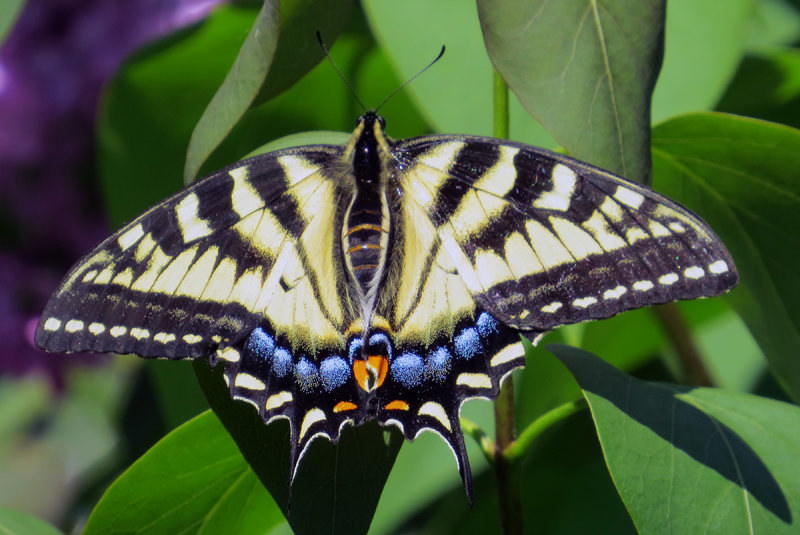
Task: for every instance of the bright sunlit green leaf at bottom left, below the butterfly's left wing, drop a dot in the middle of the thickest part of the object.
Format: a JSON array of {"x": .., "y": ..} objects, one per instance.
[{"x": 193, "y": 480}]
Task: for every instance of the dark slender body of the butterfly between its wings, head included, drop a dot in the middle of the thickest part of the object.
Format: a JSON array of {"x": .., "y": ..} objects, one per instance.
[{"x": 367, "y": 228}]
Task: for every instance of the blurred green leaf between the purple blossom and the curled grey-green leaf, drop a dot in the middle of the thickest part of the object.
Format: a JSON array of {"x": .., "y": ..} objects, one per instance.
[{"x": 141, "y": 148}]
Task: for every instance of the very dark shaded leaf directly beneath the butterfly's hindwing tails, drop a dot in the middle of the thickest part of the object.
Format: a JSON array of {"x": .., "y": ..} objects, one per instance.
[{"x": 322, "y": 495}]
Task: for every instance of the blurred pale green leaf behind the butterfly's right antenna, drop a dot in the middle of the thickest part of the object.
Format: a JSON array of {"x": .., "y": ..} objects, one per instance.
[{"x": 448, "y": 103}]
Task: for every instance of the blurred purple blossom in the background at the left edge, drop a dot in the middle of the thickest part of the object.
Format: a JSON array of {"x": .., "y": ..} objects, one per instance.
[{"x": 53, "y": 65}]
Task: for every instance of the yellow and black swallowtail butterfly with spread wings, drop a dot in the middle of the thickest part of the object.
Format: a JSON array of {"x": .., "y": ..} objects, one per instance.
[{"x": 384, "y": 279}]
